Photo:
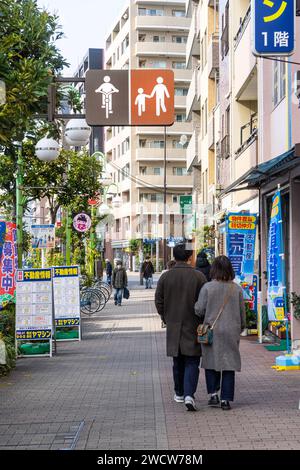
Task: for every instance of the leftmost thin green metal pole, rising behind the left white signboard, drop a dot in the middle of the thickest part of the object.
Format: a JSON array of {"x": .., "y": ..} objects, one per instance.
[{"x": 19, "y": 207}]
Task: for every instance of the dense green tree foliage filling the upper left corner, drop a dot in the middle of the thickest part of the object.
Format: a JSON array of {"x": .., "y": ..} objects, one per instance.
[{"x": 29, "y": 59}]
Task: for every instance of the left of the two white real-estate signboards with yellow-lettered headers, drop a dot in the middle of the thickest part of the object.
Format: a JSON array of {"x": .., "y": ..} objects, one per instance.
[{"x": 34, "y": 309}]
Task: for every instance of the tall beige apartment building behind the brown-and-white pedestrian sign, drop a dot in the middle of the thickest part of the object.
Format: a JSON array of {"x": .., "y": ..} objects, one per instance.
[{"x": 149, "y": 34}]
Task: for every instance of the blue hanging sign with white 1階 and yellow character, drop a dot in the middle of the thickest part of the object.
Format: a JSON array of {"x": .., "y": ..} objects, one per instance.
[{"x": 273, "y": 27}]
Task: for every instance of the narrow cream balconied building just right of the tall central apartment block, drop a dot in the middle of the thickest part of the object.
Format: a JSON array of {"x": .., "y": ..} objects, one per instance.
[{"x": 202, "y": 54}]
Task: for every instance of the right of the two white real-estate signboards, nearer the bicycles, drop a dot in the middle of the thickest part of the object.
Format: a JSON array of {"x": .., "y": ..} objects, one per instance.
[{"x": 66, "y": 302}]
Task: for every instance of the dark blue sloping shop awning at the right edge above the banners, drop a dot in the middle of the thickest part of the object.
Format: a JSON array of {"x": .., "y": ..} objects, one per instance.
[{"x": 265, "y": 172}]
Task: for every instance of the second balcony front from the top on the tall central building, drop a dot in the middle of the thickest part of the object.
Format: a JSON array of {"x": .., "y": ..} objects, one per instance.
[{"x": 165, "y": 49}]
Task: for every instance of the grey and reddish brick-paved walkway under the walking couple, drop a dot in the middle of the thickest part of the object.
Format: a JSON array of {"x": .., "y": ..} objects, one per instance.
[{"x": 113, "y": 390}]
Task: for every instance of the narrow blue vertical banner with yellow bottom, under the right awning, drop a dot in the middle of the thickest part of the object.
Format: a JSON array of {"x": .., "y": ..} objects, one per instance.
[{"x": 275, "y": 263}]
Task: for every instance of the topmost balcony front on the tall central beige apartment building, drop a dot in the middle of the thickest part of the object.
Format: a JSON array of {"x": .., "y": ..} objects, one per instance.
[{"x": 162, "y": 23}]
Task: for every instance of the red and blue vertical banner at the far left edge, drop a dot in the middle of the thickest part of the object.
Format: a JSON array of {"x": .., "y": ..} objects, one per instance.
[{"x": 8, "y": 262}]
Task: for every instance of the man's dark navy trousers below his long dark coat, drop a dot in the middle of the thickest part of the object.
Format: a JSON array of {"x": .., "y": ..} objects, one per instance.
[{"x": 185, "y": 374}]
